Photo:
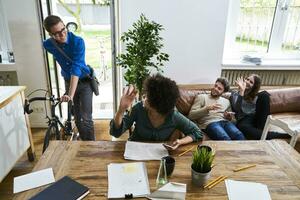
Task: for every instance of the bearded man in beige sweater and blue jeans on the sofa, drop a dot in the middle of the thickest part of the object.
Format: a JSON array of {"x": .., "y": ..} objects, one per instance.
[{"x": 211, "y": 113}]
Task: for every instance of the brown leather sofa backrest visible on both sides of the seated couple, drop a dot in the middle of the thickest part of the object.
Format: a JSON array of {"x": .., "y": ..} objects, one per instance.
[{"x": 281, "y": 100}]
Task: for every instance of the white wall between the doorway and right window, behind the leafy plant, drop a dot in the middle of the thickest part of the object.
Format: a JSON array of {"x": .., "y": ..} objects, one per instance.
[{"x": 193, "y": 36}]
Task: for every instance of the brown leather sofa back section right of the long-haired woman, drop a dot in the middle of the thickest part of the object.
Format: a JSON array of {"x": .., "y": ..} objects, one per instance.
[{"x": 284, "y": 100}]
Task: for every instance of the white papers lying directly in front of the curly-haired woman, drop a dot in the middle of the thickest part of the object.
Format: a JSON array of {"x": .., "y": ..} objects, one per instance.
[{"x": 144, "y": 151}]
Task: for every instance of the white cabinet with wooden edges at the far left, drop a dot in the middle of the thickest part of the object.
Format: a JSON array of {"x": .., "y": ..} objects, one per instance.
[{"x": 15, "y": 134}]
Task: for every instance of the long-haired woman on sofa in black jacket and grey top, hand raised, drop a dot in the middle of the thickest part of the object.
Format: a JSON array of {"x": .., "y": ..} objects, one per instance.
[{"x": 251, "y": 107}]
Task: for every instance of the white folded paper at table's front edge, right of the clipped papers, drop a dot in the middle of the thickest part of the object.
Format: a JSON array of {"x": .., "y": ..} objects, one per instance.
[{"x": 170, "y": 191}]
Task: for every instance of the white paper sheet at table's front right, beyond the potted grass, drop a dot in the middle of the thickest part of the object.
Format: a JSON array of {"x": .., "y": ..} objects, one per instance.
[{"x": 238, "y": 190}]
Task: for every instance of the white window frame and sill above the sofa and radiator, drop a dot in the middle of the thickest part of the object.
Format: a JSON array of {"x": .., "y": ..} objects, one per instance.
[{"x": 274, "y": 52}]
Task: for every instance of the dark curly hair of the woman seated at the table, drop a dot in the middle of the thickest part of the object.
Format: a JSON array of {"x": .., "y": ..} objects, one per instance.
[{"x": 162, "y": 93}]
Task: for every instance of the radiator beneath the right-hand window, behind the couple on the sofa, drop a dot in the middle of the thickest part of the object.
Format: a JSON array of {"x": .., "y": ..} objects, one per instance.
[{"x": 271, "y": 78}]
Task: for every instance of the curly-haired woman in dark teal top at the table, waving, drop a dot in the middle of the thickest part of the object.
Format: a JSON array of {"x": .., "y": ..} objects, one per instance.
[{"x": 155, "y": 118}]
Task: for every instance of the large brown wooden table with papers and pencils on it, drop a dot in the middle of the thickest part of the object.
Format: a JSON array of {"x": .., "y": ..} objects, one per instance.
[{"x": 278, "y": 166}]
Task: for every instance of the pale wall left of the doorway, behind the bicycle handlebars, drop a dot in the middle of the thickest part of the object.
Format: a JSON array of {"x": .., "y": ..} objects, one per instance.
[{"x": 25, "y": 32}]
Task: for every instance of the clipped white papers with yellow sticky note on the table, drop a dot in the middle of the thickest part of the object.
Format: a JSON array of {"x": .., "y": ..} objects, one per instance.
[{"x": 127, "y": 179}]
